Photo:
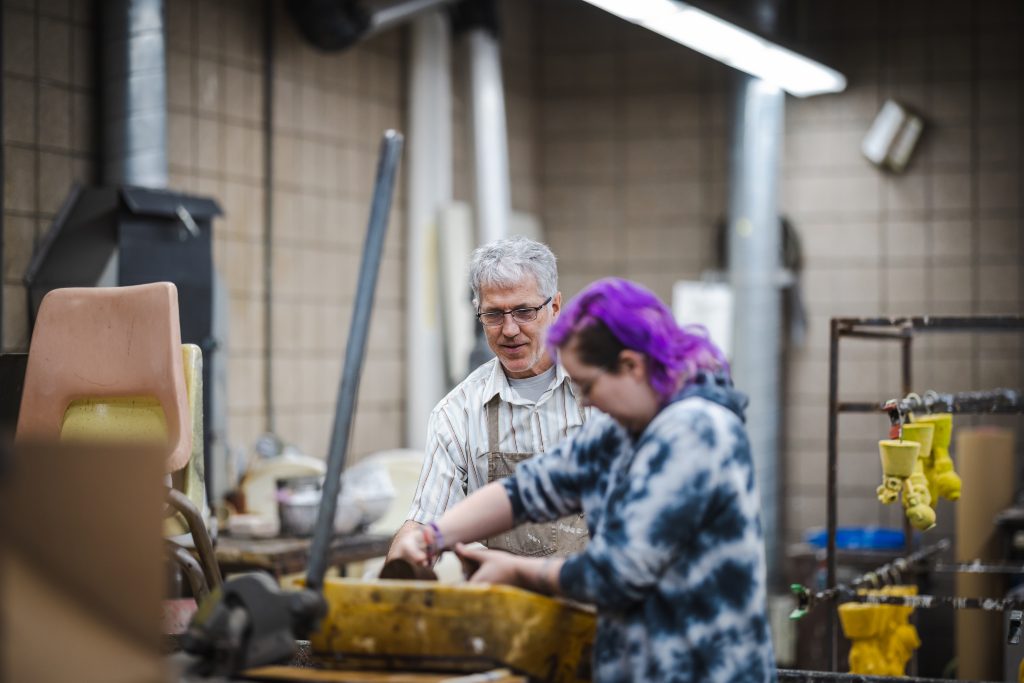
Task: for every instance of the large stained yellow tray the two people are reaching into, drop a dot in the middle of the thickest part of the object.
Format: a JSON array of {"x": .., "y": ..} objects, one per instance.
[{"x": 425, "y": 626}]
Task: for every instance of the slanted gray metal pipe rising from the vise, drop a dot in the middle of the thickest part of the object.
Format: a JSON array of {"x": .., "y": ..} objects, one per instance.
[{"x": 359, "y": 330}]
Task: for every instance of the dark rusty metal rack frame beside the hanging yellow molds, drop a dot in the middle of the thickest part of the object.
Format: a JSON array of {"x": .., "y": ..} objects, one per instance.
[{"x": 902, "y": 330}]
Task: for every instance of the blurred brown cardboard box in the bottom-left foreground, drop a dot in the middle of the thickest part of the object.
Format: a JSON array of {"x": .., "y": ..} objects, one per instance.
[{"x": 81, "y": 565}]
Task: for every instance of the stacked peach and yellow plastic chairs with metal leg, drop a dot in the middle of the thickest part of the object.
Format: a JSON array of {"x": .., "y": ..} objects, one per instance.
[{"x": 108, "y": 365}]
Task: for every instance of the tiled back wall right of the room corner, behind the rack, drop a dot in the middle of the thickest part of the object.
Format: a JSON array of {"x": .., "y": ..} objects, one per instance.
[{"x": 633, "y": 149}]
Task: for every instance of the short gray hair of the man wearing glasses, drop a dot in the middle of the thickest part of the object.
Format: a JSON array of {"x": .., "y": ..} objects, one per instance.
[{"x": 507, "y": 263}]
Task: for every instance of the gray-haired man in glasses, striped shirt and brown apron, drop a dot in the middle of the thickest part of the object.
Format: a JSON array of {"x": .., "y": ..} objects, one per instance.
[{"x": 509, "y": 409}]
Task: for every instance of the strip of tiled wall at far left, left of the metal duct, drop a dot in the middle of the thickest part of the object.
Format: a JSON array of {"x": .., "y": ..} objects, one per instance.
[{"x": 48, "y": 135}]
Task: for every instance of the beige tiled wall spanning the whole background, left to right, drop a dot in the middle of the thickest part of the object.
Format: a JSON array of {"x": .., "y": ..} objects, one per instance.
[{"x": 618, "y": 142}]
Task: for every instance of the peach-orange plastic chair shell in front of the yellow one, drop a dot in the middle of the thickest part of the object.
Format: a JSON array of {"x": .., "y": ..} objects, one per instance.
[{"x": 120, "y": 347}]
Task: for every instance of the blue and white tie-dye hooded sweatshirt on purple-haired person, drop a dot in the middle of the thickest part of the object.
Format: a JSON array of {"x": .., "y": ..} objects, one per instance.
[{"x": 676, "y": 564}]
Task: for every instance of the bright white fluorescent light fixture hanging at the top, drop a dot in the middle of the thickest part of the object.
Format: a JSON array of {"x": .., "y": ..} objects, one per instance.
[{"x": 730, "y": 45}]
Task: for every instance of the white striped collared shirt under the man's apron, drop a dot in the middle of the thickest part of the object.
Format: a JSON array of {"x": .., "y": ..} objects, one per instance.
[{"x": 456, "y": 462}]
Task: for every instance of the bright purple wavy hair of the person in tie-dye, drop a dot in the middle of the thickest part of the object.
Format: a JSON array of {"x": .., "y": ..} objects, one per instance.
[{"x": 638, "y": 320}]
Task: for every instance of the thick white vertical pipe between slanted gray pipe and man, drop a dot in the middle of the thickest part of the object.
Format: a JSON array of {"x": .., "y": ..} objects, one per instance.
[{"x": 431, "y": 174}]
